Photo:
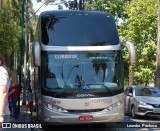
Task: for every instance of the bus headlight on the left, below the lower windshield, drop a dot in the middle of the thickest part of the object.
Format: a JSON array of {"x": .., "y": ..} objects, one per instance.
[{"x": 55, "y": 108}]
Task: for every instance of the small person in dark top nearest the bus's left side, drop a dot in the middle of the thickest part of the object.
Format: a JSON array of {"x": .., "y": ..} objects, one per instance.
[{"x": 29, "y": 100}]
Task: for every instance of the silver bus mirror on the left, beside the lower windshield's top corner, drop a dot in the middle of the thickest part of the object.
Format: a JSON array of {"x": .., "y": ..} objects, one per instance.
[{"x": 37, "y": 54}]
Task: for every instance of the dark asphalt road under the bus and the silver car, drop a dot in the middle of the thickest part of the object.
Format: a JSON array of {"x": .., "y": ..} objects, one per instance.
[{"x": 140, "y": 124}]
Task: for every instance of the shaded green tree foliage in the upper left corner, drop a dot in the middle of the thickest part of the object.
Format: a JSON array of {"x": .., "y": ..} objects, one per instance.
[{"x": 10, "y": 22}]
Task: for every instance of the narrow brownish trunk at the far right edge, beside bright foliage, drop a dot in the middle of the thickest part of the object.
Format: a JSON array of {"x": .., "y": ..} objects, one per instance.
[{"x": 157, "y": 77}]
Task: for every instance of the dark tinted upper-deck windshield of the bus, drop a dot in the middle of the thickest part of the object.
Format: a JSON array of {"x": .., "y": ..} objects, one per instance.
[{"x": 78, "y": 29}]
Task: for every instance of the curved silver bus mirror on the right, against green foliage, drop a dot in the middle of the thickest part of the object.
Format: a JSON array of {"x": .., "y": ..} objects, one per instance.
[{"x": 131, "y": 48}]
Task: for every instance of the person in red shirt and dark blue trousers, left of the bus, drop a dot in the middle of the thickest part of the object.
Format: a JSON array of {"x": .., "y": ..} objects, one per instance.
[{"x": 13, "y": 94}]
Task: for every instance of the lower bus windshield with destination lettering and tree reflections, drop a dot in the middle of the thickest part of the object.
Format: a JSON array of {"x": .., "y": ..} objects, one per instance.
[{"x": 80, "y": 72}]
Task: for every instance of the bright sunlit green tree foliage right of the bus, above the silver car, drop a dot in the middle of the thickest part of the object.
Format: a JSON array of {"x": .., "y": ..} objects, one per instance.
[{"x": 141, "y": 29}]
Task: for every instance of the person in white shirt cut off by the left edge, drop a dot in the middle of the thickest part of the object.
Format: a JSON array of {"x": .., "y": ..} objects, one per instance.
[{"x": 4, "y": 86}]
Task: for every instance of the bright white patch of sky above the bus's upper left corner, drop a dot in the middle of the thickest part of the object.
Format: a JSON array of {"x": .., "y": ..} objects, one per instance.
[{"x": 37, "y": 5}]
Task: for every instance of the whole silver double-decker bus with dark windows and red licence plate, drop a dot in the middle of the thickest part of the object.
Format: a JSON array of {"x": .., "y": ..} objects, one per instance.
[{"x": 79, "y": 68}]
